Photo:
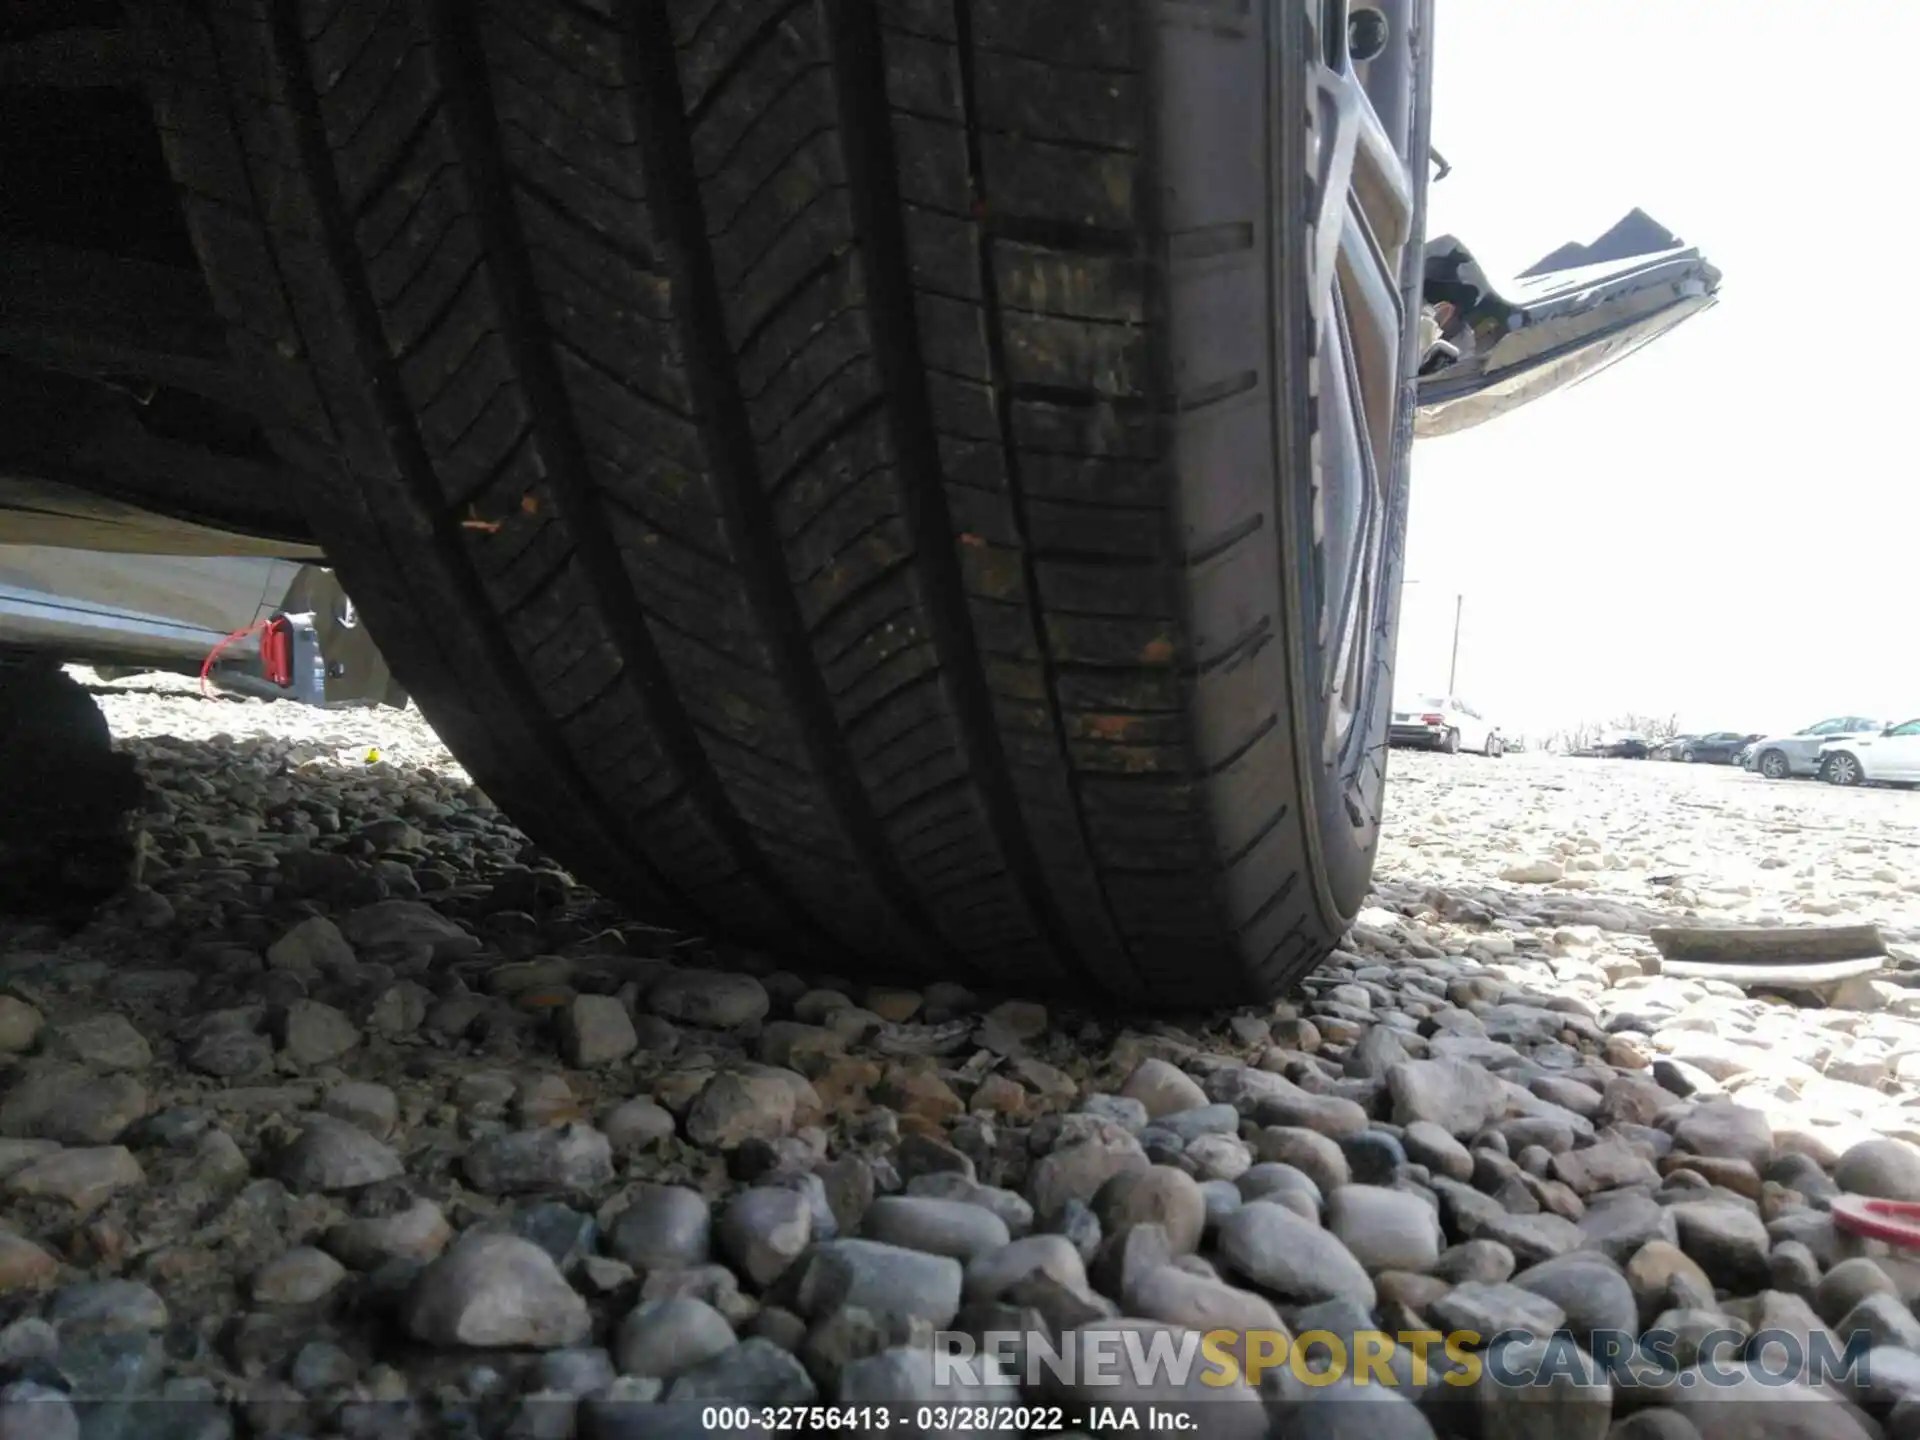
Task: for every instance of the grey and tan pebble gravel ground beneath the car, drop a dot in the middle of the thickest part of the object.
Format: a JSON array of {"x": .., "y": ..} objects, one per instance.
[{"x": 360, "y": 1118}]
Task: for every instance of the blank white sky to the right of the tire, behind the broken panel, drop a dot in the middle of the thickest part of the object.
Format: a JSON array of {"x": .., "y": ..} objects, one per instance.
[{"x": 1725, "y": 525}]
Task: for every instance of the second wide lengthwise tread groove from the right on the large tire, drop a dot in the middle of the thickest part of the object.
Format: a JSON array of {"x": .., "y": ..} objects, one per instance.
[{"x": 748, "y": 516}]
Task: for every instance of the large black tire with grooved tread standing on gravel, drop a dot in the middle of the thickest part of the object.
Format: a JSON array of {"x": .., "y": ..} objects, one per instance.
[{"x": 840, "y": 473}]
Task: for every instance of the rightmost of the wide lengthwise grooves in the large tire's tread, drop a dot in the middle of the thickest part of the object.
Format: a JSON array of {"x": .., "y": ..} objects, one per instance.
[{"x": 867, "y": 124}]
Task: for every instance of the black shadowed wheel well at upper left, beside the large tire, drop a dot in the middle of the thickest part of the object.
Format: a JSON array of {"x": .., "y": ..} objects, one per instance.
[{"x": 114, "y": 368}]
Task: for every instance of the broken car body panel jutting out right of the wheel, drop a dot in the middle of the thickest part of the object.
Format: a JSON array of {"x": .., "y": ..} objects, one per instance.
[{"x": 1489, "y": 350}]
